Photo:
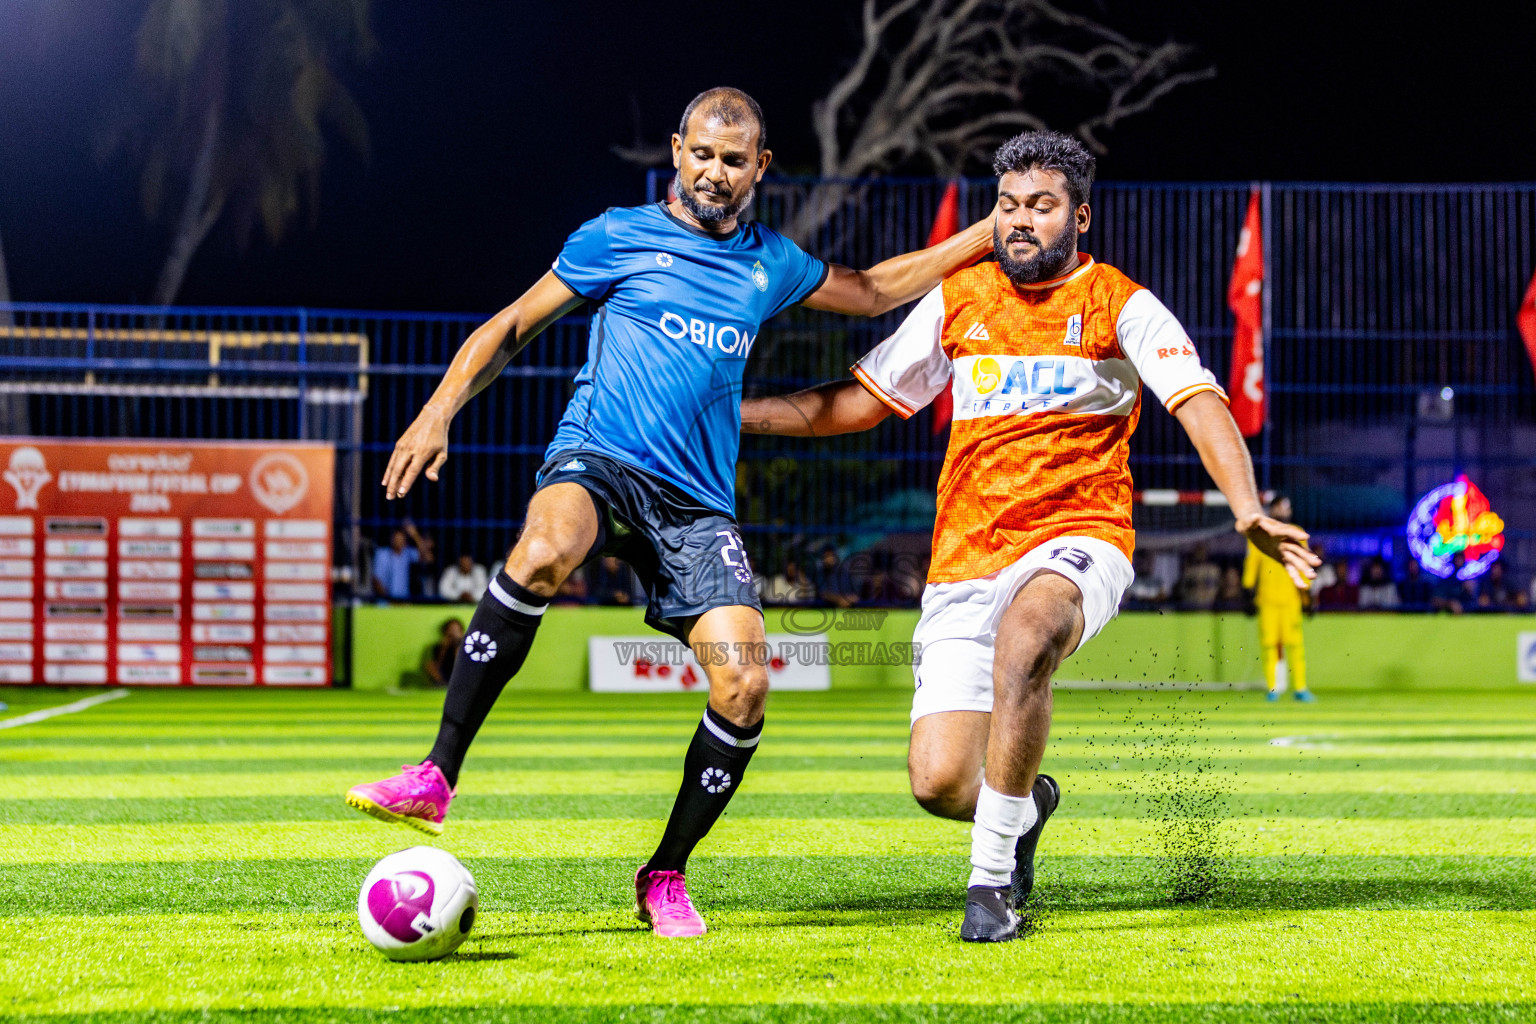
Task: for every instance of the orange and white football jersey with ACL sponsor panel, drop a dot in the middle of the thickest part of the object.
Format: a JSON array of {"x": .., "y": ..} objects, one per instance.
[{"x": 1047, "y": 392}]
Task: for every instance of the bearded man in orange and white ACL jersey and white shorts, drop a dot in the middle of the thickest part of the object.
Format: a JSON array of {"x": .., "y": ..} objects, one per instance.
[{"x": 1033, "y": 543}]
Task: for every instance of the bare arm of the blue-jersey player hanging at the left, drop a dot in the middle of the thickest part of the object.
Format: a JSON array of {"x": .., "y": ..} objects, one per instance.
[{"x": 485, "y": 354}]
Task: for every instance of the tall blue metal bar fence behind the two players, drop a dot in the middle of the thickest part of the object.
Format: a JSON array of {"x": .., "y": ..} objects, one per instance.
[{"x": 1394, "y": 365}]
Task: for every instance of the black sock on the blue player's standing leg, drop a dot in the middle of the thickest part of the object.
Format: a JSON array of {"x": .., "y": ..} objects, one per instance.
[{"x": 712, "y": 773}]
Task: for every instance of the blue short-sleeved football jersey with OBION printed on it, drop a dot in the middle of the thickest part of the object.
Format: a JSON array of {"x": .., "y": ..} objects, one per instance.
[{"x": 678, "y": 315}]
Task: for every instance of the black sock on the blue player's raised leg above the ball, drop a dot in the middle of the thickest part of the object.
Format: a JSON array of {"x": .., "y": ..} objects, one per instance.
[{"x": 494, "y": 650}]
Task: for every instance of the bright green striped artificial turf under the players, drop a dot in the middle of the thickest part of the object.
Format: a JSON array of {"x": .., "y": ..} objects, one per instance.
[{"x": 185, "y": 856}]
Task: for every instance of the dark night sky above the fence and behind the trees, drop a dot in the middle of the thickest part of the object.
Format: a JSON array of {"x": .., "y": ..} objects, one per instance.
[{"x": 492, "y": 125}]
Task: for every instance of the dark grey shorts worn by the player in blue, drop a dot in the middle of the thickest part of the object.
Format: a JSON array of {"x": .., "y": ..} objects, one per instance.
[{"x": 689, "y": 558}]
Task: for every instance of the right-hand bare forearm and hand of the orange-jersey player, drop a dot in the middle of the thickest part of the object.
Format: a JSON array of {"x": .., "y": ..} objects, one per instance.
[{"x": 1225, "y": 457}]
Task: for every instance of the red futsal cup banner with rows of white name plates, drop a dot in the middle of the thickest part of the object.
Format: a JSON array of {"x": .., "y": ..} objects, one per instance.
[{"x": 179, "y": 563}]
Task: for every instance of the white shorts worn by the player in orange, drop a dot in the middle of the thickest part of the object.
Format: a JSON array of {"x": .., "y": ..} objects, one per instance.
[{"x": 958, "y": 633}]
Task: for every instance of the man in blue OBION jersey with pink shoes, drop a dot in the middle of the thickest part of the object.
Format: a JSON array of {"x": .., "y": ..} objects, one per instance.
[{"x": 644, "y": 461}]
